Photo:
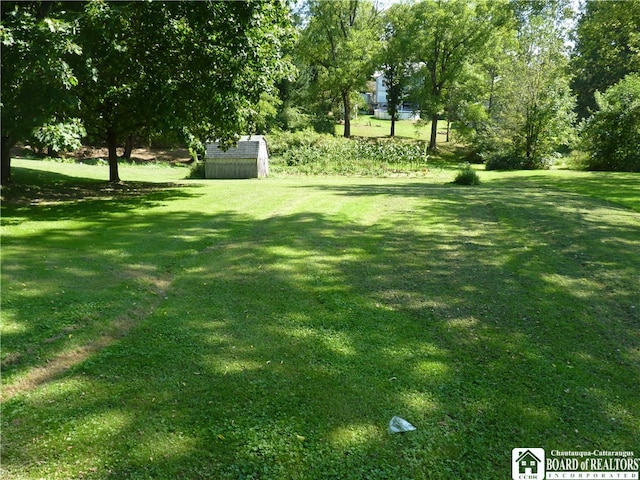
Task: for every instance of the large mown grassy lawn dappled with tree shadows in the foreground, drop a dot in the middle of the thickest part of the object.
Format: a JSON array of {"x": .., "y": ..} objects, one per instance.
[{"x": 270, "y": 329}]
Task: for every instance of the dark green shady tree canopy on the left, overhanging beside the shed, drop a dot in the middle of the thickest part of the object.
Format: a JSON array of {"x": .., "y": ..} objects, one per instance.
[{"x": 191, "y": 68}]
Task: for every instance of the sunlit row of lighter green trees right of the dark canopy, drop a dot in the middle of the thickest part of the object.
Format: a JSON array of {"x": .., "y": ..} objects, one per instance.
[{"x": 522, "y": 79}]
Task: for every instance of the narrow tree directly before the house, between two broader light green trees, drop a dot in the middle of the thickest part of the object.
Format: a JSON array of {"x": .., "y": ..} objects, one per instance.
[{"x": 395, "y": 62}]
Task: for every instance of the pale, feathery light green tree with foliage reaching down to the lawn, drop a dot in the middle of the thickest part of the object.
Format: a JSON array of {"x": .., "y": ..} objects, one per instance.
[{"x": 532, "y": 111}]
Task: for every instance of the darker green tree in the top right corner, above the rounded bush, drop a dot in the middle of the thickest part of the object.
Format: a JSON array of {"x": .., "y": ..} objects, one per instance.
[{"x": 607, "y": 49}]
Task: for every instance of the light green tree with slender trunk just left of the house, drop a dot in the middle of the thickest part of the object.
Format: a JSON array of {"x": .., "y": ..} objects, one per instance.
[{"x": 340, "y": 42}]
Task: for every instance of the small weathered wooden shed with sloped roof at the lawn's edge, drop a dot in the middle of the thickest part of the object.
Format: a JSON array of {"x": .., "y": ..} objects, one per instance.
[{"x": 248, "y": 159}]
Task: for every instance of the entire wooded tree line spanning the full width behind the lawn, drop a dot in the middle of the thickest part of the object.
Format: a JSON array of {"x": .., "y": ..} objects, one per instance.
[{"x": 522, "y": 79}]
